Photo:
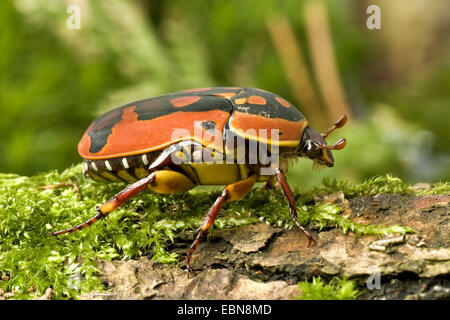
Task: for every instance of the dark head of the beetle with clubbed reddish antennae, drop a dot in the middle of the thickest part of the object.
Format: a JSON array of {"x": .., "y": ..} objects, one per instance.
[{"x": 314, "y": 146}]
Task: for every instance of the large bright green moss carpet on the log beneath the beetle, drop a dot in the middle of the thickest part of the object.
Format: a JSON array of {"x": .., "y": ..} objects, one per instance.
[{"x": 146, "y": 224}]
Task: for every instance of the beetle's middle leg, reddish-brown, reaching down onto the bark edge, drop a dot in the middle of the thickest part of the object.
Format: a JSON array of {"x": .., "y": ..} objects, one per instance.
[{"x": 231, "y": 193}]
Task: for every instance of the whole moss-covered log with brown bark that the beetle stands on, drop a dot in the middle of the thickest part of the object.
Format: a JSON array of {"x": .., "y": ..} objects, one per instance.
[{"x": 253, "y": 252}]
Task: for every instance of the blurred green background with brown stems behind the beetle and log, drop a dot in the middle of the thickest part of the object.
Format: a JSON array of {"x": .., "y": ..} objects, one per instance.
[{"x": 394, "y": 82}]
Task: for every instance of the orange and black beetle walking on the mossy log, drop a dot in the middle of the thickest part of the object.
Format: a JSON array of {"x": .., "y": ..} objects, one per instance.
[{"x": 162, "y": 144}]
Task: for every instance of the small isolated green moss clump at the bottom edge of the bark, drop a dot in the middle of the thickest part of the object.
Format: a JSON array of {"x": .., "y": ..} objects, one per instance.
[{"x": 336, "y": 289}]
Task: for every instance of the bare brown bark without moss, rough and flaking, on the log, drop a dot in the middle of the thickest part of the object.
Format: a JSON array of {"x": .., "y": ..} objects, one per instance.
[{"x": 260, "y": 261}]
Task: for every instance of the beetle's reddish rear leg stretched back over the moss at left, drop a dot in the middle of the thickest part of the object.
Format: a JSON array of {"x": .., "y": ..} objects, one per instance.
[{"x": 113, "y": 203}]
